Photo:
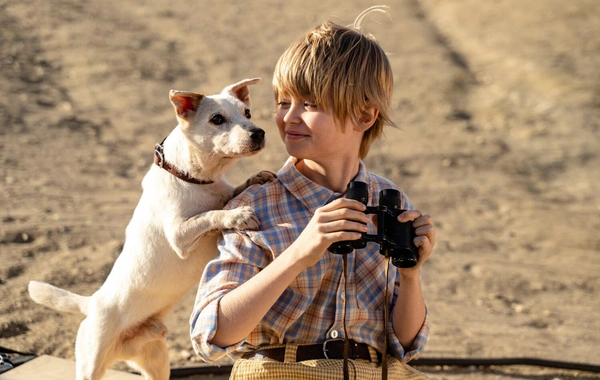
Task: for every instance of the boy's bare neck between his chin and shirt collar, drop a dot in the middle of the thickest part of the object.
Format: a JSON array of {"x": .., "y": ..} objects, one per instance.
[{"x": 335, "y": 177}]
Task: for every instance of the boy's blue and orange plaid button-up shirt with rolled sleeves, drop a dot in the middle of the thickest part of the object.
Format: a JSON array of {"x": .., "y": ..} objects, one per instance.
[{"x": 310, "y": 309}]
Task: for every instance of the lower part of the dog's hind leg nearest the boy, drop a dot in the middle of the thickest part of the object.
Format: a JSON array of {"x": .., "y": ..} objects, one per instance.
[{"x": 153, "y": 361}]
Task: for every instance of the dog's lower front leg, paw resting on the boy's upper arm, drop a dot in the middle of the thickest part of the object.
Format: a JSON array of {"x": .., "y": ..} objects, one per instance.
[{"x": 184, "y": 236}]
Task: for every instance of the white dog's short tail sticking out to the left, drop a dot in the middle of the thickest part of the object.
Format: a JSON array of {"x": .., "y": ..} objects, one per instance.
[{"x": 58, "y": 299}]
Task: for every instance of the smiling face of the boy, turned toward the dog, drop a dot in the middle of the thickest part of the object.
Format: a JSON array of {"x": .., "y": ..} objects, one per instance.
[{"x": 314, "y": 134}]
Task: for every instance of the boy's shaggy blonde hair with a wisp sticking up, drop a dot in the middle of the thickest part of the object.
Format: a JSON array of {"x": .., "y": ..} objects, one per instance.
[{"x": 339, "y": 67}]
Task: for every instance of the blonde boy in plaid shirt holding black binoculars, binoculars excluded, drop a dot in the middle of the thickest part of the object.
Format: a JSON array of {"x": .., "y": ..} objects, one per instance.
[{"x": 276, "y": 297}]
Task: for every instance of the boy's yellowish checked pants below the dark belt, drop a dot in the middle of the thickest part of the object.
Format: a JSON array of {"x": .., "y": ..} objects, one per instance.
[{"x": 321, "y": 369}]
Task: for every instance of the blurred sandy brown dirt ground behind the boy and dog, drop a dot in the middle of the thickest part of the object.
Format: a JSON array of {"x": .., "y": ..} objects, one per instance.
[{"x": 499, "y": 105}]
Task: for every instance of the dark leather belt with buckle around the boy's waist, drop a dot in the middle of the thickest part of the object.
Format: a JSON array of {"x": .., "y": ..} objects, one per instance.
[{"x": 329, "y": 349}]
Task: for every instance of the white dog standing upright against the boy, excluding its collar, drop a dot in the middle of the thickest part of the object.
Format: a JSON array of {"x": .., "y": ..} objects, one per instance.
[{"x": 170, "y": 238}]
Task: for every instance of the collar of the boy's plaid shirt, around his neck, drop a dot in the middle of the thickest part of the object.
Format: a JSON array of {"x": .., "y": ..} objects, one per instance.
[{"x": 310, "y": 194}]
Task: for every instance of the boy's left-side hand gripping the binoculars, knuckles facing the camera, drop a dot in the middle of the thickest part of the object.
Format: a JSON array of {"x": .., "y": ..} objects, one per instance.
[{"x": 342, "y": 219}]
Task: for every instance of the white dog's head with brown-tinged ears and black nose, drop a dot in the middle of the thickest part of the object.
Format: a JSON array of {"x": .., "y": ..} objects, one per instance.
[{"x": 219, "y": 125}]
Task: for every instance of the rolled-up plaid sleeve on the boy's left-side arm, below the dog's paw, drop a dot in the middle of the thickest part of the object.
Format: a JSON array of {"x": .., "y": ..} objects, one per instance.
[{"x": 239, "y": 259}]
